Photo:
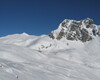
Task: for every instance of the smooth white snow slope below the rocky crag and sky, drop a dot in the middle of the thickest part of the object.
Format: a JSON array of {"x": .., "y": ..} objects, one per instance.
[{"x": 26, "y": 57}]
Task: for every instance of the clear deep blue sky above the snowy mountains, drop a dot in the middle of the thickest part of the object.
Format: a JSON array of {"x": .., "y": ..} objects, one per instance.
[{"x": 38, "y": 17}]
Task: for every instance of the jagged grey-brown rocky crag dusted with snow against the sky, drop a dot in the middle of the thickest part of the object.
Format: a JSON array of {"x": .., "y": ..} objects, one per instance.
[{"x": 83, "y": 30}]
